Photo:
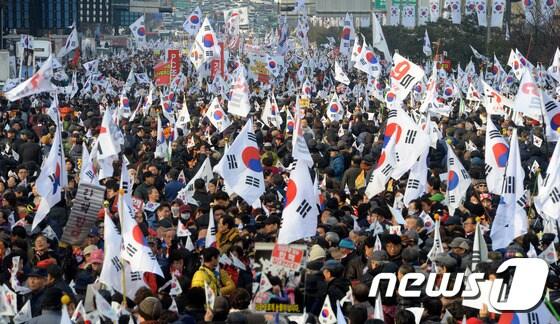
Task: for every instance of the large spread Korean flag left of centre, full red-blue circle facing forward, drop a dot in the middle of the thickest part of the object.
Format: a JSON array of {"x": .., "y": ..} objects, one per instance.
[{"x": 241, "y": 166}]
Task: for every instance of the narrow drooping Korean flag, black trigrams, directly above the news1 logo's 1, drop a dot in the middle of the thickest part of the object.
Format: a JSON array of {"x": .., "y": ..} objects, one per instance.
[{"x": 511, "y": 219}]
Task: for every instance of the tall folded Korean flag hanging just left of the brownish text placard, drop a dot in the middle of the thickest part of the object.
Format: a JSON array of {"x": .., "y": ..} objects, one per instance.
[{"x": 52, "y": 179}]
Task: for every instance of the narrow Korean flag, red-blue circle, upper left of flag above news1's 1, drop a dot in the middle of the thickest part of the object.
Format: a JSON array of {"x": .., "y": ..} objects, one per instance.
[{"x": 496, "y": 156}]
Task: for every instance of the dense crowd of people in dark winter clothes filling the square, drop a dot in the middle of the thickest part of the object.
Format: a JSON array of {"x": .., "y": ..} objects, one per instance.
[{"x": 356, "y": 238}]
